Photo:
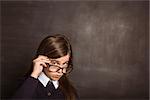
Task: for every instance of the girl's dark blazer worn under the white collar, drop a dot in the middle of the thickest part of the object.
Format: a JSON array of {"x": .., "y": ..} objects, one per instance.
[{"x": 33, "y": 89}]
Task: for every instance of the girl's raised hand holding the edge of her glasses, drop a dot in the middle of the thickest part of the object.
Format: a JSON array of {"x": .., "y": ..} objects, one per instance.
[{"x": 38, "y": 65}]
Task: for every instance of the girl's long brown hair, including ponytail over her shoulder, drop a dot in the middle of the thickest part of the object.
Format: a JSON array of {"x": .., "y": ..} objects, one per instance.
[{"x": 57, "y": 46}]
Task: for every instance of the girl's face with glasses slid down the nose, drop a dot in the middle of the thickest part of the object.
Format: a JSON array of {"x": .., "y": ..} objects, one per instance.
[{"x": 57, "y": 68}]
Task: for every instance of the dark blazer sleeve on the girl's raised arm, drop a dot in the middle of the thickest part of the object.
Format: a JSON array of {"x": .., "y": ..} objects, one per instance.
[{"x": 27, "y": 89}]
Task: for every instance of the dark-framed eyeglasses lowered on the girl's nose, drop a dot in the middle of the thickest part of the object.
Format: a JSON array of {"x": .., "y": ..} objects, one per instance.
[{"x": 55, "y": 68}]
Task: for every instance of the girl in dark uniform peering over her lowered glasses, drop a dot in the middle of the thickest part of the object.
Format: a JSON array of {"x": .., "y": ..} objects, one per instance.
[{"x": 48, "y": 78}]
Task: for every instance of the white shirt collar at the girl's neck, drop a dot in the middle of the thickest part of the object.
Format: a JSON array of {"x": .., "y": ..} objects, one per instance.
[{"x": 44, "y": 80}]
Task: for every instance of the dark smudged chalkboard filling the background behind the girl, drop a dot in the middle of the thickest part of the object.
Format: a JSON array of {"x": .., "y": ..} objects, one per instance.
[{"x": 109, "y": 39}]
